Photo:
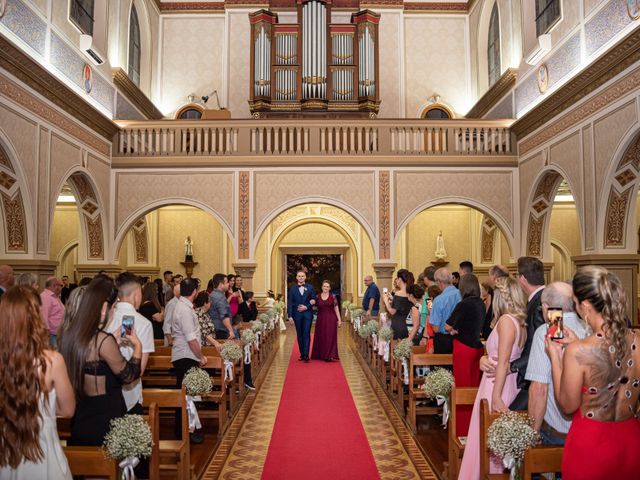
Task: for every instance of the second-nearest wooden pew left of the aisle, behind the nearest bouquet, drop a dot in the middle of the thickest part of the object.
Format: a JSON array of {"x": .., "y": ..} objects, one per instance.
[{"x": 175, "y": 452}]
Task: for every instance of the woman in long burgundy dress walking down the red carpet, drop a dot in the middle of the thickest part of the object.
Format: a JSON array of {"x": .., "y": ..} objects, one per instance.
[{"x": 325, "y": 339}]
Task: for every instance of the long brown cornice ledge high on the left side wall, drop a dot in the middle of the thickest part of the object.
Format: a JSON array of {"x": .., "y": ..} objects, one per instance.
[{"x": 30, "y": 72}]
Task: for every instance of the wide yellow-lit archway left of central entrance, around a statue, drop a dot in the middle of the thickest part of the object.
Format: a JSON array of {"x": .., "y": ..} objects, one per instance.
[{"x": 155, "y": 242}]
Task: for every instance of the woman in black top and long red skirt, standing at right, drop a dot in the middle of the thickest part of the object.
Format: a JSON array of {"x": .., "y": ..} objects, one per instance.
[{"x": 465, "y": 325}]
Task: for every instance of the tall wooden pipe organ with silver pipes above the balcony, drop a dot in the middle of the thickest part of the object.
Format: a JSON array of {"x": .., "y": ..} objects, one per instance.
[{"x": 314, "y": 65}]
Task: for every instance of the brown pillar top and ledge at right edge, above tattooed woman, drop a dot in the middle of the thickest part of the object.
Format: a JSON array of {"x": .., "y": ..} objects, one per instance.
[{"x": 623, "y": 265}]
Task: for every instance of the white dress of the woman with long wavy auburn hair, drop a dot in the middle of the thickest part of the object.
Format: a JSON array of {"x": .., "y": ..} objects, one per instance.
[{"x": 53, "y": 465}]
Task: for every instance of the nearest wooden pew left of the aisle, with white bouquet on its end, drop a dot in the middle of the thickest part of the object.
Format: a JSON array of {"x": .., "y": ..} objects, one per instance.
[{"x": 92, "y": 462}]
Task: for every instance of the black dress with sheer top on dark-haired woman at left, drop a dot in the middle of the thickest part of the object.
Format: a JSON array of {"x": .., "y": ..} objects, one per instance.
[{"x": 102, "y": 400}]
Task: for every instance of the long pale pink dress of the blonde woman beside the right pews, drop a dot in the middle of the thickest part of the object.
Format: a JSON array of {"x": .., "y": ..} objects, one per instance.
[{"x": 470, "y": 467}]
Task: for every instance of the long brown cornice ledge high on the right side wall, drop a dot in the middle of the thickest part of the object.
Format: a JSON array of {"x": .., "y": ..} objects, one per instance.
[{"x": 619, "y": 57}]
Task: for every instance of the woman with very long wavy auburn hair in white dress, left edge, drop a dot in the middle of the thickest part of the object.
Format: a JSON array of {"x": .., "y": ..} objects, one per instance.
[{"x": 34, "y": 389}]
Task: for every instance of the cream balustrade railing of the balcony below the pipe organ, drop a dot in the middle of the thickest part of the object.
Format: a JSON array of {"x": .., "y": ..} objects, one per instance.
[{"x": 268, "y": 138}]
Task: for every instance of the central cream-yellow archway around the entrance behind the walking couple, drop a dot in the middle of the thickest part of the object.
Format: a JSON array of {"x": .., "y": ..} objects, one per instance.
[{"x": 317, "y": 231}]
